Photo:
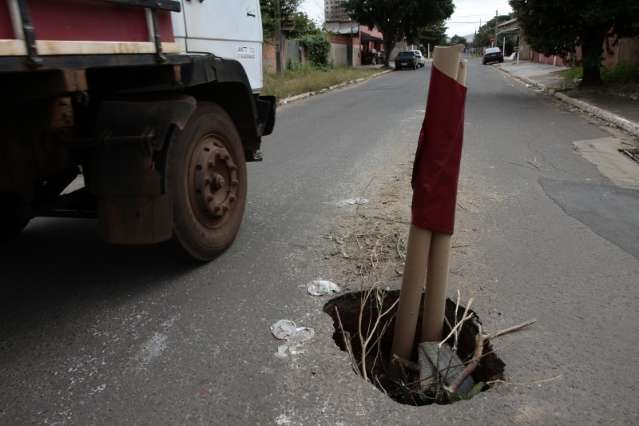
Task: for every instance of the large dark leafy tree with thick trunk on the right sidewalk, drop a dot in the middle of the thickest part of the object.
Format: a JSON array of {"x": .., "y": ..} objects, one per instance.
[{"x": 558, "y": 27}]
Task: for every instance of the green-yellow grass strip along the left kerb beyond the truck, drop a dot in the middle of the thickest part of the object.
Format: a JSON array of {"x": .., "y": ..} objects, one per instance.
[{"x": 310, "y": 79}]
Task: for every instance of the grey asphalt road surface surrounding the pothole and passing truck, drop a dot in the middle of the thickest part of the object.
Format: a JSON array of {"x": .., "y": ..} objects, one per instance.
[{"x": 91, "y": 334}]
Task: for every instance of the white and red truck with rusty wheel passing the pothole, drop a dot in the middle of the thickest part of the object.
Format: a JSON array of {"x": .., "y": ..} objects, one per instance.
[{"x": 139, "y": 113}]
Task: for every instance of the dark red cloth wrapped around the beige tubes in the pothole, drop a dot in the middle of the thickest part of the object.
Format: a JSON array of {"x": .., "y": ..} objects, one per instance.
[{"x": 436, "y": 168}]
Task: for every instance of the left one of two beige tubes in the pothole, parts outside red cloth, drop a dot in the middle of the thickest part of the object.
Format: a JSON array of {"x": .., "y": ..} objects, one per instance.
[{"x": 447, "y": 60}]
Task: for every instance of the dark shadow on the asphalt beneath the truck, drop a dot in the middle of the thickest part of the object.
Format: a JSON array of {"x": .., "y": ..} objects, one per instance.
[{"x": 60, "y": 268}]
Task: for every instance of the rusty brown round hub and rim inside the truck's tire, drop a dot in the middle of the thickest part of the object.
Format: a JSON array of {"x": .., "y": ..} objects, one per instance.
[{"x": 213, "y": 181}]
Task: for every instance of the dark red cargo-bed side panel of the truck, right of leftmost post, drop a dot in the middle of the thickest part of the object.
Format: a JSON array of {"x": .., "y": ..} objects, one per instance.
[{"x": 82, "y": 20}]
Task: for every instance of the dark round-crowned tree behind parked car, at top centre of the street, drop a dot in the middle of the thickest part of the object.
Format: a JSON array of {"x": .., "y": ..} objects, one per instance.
[{"x": 399, "y": 19}]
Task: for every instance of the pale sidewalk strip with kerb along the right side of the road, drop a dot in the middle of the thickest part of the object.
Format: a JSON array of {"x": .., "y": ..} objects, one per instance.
[{"x": 610, "y": 103}]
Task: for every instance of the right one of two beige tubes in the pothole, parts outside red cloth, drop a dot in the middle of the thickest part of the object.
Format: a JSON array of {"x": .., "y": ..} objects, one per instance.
[{"x": 437, "y": 280}]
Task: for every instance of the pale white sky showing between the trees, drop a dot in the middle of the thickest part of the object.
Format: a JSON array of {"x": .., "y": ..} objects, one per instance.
[{"x": 465, "y": 20}]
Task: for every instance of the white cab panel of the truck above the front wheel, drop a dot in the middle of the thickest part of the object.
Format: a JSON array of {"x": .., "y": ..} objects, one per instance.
[{"x": 229, "y": 29}]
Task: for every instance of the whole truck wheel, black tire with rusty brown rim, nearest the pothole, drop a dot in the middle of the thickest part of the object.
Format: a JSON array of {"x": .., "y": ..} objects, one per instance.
[{"x": 206, "y": 177}]
